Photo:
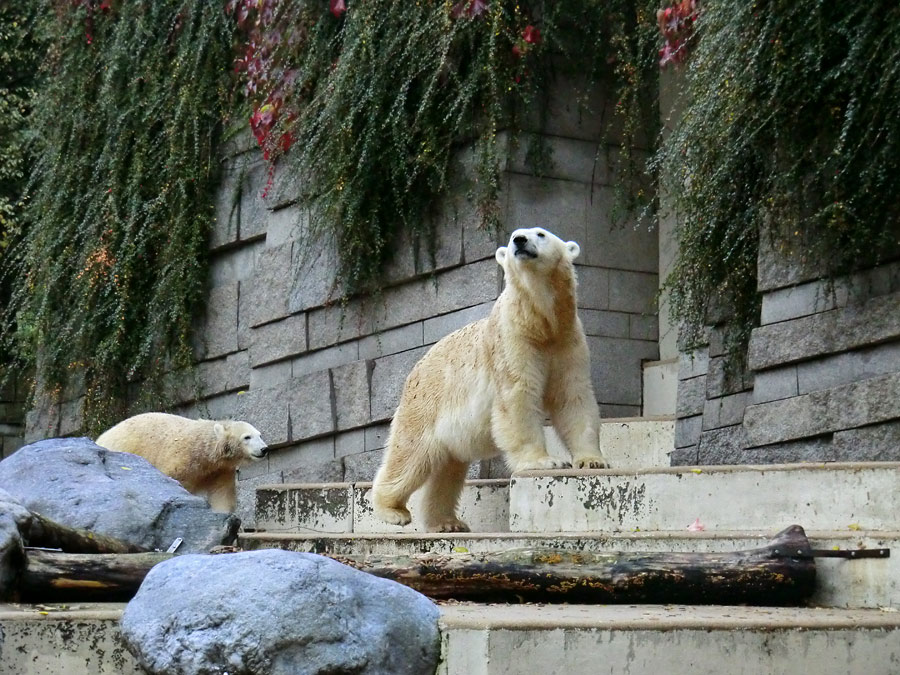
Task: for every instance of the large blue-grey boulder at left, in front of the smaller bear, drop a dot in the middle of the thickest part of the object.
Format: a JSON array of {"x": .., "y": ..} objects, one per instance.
[{"x": 77, "y": 483}]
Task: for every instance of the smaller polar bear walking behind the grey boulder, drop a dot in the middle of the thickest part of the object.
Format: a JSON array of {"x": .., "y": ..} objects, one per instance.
[{"x": 202, "y": 455}]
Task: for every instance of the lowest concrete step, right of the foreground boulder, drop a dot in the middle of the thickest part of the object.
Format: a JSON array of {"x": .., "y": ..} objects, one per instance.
[{"x": 677, "y": 640}]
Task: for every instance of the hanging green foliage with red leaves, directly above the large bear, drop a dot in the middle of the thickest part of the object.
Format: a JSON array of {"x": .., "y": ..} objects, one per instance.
[{"x": 374, "y": 102}]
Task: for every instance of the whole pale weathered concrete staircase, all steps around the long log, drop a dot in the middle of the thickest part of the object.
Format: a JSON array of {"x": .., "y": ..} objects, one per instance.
[{"x": 851, "y": 625}]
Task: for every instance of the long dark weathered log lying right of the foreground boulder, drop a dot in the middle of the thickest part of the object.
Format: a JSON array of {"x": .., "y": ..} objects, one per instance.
[{"x": 756, "y": 577}]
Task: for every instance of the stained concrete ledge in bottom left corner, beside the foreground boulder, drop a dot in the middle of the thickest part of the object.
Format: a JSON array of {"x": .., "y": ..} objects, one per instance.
[{"x": 64, "y": 641}]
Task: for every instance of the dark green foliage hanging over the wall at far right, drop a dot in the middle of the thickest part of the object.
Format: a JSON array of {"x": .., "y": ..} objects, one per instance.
[{"x": 790, "y": 125}]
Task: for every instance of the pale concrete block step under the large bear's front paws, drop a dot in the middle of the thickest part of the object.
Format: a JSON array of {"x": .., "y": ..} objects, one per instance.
[{"x": 765, "y": 498}]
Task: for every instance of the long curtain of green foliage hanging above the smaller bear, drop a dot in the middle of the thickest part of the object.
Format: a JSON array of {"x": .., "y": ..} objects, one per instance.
[{"x": 114, "y": 263}]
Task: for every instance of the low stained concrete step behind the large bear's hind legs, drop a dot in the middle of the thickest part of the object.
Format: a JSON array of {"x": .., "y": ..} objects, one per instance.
[{"x": 347, "y": 507}]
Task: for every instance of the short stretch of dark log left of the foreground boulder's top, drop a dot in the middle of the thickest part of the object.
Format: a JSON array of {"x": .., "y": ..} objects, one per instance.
[{"x": 51, "y": 576}]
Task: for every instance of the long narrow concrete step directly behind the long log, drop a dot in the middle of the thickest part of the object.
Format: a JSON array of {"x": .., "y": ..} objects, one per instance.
[{"x": 859, "y": 583}]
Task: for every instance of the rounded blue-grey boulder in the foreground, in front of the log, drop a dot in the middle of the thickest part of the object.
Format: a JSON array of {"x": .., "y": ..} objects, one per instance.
[{"x": 279, "y": 613}]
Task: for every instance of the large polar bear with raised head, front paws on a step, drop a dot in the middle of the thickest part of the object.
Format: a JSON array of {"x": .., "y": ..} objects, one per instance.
[{"x": 486, "y": 389}]
